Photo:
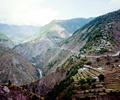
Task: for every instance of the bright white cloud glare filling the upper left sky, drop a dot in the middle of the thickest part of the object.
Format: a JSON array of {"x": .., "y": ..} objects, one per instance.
[{"x": 33, "y": 12}]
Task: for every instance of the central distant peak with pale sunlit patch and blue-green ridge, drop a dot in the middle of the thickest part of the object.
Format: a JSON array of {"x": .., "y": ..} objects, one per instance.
[{"x": 62, "y": 29}]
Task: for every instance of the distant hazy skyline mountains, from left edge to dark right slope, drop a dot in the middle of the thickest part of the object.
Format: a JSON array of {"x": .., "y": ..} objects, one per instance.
[{"x": 57, "y": 28}]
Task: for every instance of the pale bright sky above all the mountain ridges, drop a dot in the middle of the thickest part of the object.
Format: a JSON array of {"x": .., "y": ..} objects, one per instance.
[{"x": 41, "y": 12}]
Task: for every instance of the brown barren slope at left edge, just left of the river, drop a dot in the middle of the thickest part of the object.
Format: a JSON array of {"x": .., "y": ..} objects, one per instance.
[{"x": 15, "y": 68}]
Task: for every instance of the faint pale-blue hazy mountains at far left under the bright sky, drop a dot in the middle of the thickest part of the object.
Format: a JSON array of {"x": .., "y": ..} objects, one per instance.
[{"x": 19, "y": 33}]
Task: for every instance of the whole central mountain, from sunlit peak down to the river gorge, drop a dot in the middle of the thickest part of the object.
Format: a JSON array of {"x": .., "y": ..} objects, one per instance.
[{"x": 44, "y": 48}]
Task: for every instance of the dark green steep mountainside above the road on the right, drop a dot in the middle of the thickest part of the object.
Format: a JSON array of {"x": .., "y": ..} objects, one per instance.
[{"x": 99, "y": 36}]
